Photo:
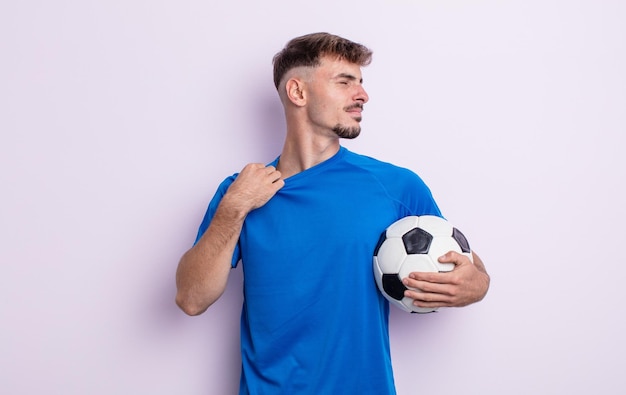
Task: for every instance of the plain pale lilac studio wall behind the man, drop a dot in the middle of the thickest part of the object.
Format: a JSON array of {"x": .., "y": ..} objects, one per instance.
[{"x": 120, "y": 118}]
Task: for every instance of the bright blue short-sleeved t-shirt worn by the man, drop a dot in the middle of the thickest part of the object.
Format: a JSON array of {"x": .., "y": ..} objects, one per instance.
[{"x": 313, "y": 321}]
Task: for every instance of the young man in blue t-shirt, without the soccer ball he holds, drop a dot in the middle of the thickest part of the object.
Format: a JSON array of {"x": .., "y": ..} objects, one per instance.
[{"x": 305, "y": 228}]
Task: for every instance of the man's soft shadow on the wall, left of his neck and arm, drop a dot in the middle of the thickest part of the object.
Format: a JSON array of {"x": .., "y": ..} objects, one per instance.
[{"x": 214, "y": 335}]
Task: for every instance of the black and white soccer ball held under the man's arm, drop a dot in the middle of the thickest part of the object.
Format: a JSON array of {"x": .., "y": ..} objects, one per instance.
[{"x": 413, "y": 244}]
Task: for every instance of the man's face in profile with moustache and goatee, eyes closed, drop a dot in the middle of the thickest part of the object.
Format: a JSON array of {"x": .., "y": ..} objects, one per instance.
[{"x": 336, "y": 97}]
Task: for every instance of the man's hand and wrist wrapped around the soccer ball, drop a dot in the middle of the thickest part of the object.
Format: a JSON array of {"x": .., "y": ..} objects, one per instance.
[{"x": 468, "y": 283}]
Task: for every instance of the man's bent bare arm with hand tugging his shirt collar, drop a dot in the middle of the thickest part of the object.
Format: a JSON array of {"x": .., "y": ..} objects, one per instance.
[{"x": 203, "y": 271}]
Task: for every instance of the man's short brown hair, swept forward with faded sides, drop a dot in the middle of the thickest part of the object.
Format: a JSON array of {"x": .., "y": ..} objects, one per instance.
[{"x": 308, "y": 49}]
